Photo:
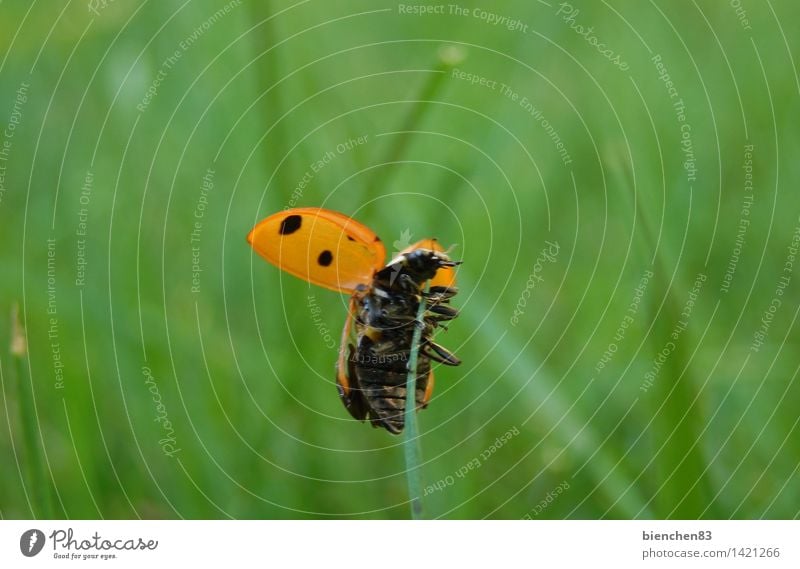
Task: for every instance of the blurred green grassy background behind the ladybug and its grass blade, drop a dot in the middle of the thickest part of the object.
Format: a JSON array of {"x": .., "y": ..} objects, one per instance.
[{"x": 172, "y": 374}]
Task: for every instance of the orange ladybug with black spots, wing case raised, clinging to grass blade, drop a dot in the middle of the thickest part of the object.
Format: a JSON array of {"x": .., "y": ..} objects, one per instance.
[{"x": 332, "y": 250}]
